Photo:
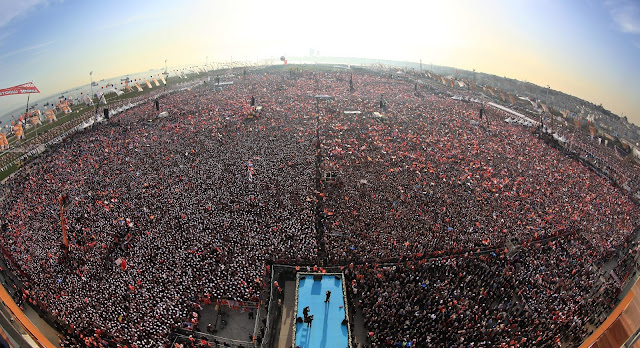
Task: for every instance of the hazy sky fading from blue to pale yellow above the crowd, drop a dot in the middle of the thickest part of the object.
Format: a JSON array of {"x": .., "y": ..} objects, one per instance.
[{"x": 587, "y": 48}]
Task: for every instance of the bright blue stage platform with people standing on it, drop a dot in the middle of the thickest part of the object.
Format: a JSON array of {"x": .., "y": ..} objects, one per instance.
[{"x": 326, "y": 329}]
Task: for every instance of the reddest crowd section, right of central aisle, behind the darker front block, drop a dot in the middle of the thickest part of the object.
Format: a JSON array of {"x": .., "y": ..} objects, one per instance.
[{"x": 431, "y": 177}]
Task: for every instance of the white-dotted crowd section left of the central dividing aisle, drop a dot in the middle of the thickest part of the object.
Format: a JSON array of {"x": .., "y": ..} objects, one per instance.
[{"x": 173, "y": 202}]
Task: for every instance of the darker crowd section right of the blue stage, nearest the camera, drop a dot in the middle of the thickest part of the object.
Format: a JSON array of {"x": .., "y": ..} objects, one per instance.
[{"x": 542, "y": 297}]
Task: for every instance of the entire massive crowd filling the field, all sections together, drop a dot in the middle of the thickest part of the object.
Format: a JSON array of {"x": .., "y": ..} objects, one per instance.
[{"x": 164, "y": 212}]
